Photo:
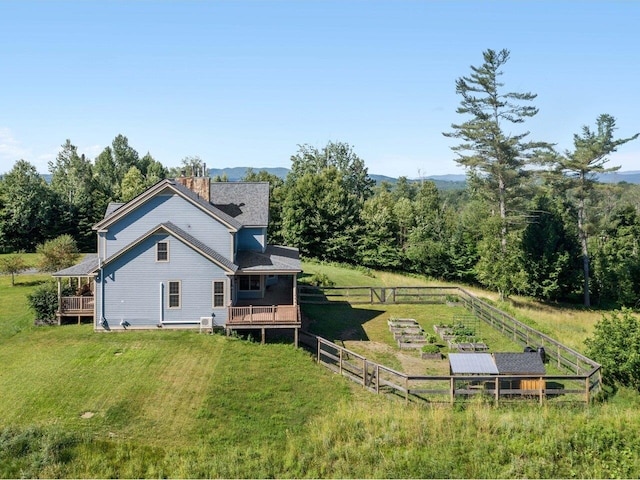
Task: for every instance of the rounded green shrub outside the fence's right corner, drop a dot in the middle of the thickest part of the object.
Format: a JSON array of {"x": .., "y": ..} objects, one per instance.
[{"x": 615, "y": 345}]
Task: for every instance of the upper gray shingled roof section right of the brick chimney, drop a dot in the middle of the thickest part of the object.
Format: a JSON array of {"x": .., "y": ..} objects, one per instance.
[{"x": 247, "y": 202}]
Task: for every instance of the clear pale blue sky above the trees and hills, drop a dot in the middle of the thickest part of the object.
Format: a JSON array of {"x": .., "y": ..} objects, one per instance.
[{"x": 242, "y": 83}]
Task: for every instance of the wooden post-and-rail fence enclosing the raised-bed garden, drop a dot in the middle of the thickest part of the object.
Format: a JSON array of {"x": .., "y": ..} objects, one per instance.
[{"x": 582, "y": 381}]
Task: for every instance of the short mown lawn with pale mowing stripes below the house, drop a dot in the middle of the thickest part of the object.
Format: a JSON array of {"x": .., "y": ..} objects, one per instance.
[{"x": 159, "y": 392}]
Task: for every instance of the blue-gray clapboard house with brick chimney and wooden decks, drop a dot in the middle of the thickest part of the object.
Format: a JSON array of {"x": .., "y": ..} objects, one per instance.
[{"x": 187, "y": 253}]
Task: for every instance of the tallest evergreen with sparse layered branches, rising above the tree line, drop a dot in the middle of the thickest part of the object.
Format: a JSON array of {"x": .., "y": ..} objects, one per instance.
[{"x": 496, "y": 160}]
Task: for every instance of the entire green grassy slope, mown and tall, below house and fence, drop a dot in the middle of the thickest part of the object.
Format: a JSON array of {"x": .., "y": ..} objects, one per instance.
[{"x": 181, "y": 404}]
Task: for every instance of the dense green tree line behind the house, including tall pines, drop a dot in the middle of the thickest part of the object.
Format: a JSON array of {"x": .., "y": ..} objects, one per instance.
[{"x": 532, "y": 220}]
